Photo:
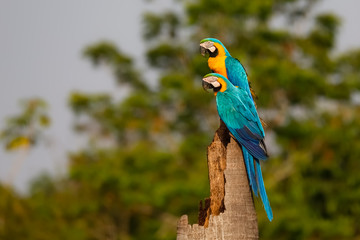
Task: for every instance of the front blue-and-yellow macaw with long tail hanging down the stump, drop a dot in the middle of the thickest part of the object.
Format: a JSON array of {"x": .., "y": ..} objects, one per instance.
[{"x": 237, "y": 110}]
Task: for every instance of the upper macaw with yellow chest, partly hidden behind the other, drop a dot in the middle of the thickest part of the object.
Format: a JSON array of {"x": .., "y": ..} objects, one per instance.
[{"x": 220, "y": 61}]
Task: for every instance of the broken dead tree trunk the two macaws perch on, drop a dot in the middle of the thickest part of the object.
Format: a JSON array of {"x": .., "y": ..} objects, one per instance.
[{"x": 229, "y": 213}]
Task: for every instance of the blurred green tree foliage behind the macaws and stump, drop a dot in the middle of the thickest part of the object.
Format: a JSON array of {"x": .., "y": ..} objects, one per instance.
[{"x": 144, "y": 161}]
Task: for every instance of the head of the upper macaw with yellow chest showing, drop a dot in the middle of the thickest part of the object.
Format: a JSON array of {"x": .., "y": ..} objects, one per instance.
[{"x": 213, "y": 47}]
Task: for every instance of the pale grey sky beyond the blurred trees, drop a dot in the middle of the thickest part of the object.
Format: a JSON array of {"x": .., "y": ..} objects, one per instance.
[{"x": 41, "y": 45}]
